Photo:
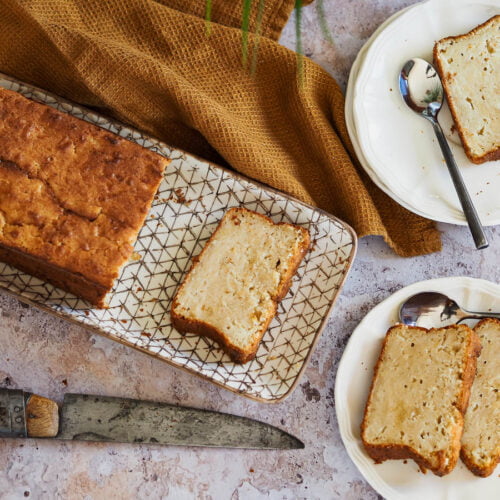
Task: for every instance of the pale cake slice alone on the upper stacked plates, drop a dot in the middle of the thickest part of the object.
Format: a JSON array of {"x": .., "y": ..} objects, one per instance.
[{"x": 469, "y": 67}]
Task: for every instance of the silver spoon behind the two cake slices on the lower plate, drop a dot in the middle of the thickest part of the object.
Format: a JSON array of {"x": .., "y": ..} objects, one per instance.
[{"x": 433, "y": 309}]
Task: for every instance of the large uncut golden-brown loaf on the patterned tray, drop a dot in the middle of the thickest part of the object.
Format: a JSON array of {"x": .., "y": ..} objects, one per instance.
[{"x": 73, "y": 197}]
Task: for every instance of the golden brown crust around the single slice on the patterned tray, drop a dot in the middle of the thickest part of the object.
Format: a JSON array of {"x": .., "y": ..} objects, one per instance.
[{"x": 186, "y": 325}]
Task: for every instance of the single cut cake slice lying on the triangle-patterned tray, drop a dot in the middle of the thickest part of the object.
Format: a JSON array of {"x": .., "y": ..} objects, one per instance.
[{"x": 233, "y": 289}]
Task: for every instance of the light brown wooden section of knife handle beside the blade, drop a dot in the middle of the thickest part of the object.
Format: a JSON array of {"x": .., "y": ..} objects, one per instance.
[{"x": 42, "y": 417}]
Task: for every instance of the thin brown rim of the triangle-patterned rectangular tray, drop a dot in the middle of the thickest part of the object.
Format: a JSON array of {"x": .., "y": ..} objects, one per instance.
[{"x": 67, "y": 317}]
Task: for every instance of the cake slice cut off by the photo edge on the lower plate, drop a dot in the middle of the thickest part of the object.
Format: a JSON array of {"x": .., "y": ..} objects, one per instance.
[{"x": 481, "y": 439}]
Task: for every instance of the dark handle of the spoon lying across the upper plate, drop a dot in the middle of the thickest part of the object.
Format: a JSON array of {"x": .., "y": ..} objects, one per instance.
[{"x": 470, "y": 213}]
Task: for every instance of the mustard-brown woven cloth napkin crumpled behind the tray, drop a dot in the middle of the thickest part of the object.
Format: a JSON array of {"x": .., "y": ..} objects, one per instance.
[{"x": 153, "y": 64}]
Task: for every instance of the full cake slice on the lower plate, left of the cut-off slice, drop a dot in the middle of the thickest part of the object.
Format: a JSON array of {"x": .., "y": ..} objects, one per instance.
[{"x": 419, "y": 393}]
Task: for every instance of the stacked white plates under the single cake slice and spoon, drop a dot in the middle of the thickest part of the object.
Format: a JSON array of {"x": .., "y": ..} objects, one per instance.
[{"x": 396, "y": 147}]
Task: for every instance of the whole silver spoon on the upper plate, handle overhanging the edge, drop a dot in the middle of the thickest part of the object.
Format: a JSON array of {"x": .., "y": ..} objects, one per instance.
[{"x": 422, "y": 91}]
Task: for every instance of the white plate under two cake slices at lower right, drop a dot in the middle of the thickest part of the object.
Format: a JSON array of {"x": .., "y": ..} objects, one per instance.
[{"x": 394, "y": 479}]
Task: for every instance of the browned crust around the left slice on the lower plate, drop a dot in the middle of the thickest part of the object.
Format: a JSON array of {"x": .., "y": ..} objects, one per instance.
[{"x": 382, "y": 452}]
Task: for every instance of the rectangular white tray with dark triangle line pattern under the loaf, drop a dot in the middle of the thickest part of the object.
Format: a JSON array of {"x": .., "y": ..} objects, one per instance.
[{"x": 189, "y": 204}]
